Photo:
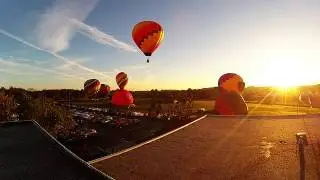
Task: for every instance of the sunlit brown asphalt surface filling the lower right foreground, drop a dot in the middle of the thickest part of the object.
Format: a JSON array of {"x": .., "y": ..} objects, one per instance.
[{"x": 224, "y": 148}]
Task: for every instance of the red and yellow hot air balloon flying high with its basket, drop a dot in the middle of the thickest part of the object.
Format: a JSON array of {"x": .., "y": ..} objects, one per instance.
[{"x": 147, "y": 35}]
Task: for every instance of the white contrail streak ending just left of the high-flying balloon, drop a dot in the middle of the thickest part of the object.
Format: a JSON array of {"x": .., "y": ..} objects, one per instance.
[{"x": 101, "y": 37}]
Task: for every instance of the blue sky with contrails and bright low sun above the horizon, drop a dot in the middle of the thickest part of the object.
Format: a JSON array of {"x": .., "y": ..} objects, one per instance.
[{"x": 53, "y": 44}]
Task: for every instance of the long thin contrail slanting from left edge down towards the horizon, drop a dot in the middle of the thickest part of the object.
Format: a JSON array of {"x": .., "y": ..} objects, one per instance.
[{"x": 64, "y": 59}]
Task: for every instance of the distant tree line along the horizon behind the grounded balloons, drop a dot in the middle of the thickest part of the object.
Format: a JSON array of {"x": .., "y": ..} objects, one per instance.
[{"x": 268, "y": 95}]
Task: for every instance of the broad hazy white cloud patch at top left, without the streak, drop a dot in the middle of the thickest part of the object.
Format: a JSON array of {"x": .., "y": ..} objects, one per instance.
[{"x": 54, "y": 30}]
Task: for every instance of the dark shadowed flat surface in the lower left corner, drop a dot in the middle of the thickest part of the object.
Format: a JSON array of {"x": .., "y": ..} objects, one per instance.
[{"x": 28, "y": 153}]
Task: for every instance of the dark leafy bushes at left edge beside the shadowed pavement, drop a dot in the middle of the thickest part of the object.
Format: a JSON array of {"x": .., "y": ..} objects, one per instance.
[{"x": 25, "y": 105}]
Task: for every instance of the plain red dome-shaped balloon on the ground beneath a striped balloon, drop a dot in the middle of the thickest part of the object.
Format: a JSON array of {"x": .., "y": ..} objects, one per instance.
[{"x": 122, "y": 98}]
